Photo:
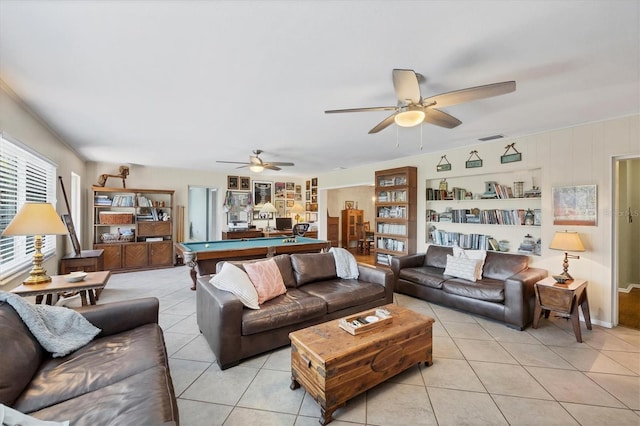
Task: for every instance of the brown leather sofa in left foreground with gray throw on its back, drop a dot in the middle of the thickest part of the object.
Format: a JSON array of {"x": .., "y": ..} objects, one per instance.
[{"x": 119, "y": 378}]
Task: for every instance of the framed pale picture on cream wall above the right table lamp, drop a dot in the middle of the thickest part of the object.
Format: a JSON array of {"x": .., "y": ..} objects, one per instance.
[{"x": 575, "y": 205}]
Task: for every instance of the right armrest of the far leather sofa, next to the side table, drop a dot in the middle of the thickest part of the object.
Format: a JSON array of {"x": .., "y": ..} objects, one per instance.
[{"x": 519, "y": 296}]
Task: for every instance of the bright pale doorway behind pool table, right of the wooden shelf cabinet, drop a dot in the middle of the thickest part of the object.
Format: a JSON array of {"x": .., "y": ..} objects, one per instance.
[{"x": 202, "y": 213}]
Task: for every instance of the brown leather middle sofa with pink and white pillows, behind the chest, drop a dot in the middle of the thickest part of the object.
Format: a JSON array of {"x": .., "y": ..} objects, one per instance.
[{"x": 314, "y": 295}]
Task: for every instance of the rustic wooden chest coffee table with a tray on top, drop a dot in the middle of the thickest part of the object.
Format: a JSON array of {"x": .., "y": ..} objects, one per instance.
[{"x": 334, "y": 366}]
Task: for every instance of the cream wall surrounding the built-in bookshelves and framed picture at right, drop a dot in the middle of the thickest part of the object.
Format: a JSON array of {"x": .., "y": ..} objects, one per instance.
[{"x": 578, "y": 155}]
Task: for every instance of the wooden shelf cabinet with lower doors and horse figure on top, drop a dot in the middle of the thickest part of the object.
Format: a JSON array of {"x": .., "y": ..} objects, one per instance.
[{"x": 134, "y": 227}]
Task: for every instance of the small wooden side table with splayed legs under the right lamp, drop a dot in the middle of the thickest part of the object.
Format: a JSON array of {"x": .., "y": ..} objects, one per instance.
[{"x": 564, "y": 299}]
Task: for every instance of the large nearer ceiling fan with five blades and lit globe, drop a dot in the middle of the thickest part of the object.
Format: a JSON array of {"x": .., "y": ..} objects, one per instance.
[{"x": 412, "y": 109}]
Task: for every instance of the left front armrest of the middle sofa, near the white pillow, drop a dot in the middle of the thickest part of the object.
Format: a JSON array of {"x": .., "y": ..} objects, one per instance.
[{"x": 219, "y": 316}]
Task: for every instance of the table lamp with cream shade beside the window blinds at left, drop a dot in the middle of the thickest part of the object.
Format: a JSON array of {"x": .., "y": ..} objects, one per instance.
[{"x": 36, "y": 219}]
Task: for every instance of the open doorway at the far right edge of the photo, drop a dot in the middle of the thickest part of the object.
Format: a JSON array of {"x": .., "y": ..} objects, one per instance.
[{"x": 627, "y": 241}]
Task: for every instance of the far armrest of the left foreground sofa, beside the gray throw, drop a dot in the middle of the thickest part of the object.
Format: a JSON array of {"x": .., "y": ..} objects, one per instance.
[{"x": 117, "y": 317}]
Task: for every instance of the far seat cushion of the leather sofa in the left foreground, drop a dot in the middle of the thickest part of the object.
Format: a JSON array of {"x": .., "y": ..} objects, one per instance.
[{"x": 99, "y": 364}]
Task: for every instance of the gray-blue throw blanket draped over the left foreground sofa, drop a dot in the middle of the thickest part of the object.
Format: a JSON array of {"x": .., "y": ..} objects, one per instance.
[{"x": 59, "y": 330}]
